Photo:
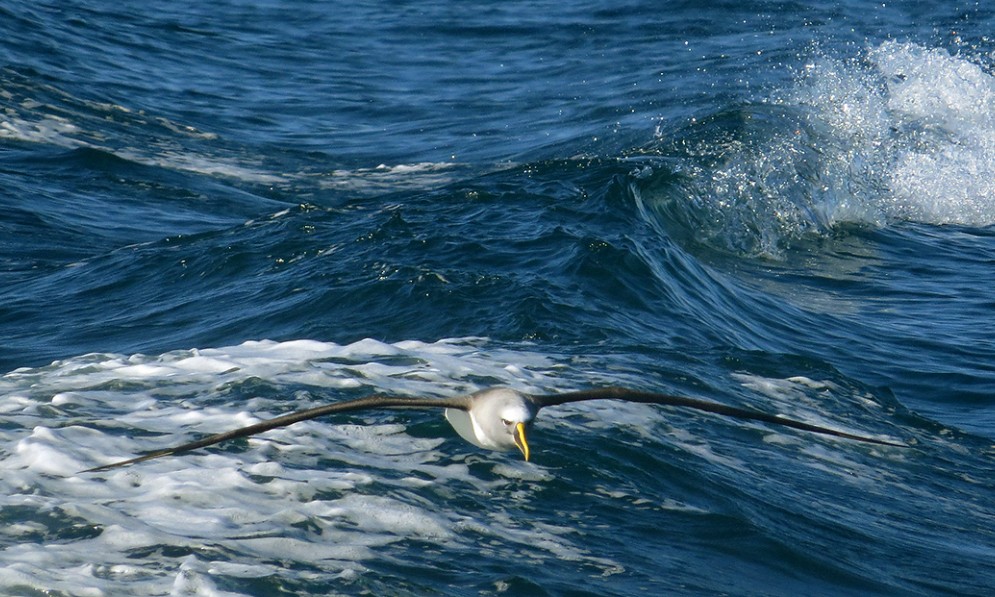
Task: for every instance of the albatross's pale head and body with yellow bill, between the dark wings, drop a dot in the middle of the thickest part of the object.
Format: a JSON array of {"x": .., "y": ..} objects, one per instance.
[{"x": 497, "y": 419}]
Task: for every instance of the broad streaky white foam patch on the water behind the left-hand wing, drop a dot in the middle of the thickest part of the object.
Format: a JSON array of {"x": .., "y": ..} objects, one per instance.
[{"x": 331, "y": 495}]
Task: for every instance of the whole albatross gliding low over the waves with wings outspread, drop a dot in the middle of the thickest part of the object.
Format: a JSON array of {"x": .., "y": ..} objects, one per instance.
[{"x": 495, "y": 418}]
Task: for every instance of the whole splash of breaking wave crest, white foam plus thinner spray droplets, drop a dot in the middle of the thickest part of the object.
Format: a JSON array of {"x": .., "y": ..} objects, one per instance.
[{"x": 900, "y": 133}]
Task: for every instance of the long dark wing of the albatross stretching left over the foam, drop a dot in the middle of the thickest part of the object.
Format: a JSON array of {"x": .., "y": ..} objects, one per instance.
[{"x": 367, "y": 402}]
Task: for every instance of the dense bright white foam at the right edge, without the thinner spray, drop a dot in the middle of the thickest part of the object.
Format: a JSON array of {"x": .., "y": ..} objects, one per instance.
[{"x": 913, "y": 127}]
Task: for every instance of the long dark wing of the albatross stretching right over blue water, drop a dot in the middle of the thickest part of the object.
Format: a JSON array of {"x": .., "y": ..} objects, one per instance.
[{"x": 695, "y": 403}]
